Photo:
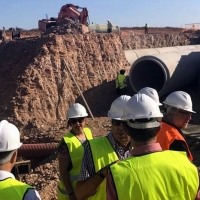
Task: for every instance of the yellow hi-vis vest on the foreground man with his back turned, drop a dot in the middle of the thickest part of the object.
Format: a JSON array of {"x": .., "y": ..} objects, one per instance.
[{"x": 166, "y": 175}]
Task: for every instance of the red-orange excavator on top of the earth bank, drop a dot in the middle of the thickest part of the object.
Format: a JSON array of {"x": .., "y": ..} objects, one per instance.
[{"x": 67, "y": 11}]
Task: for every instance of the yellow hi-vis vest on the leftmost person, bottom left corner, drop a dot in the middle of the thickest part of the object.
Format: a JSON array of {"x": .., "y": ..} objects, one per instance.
[{"x": 13, "y": 189}]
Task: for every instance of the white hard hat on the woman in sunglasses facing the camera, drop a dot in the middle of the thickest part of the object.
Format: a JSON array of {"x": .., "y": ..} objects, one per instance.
[{"x": 76, "y": 110}]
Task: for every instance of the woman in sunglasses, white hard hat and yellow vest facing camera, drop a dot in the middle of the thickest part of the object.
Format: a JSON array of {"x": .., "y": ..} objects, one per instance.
[{"x": 70, "y": 151}]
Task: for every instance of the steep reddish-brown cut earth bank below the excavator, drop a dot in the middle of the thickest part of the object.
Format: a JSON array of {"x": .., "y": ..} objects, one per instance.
[{"x": 36, "y": 88}]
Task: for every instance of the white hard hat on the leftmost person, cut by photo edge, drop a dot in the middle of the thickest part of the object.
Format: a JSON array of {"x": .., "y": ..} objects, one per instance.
[{"x": 9, "y": 137}]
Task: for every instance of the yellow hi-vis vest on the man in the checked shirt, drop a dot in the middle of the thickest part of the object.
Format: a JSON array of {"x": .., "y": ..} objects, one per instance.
[{"x": 103, "y": 154}]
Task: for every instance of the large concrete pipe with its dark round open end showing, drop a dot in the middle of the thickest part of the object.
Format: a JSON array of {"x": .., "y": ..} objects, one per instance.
[{"x": 166, "y": 72}]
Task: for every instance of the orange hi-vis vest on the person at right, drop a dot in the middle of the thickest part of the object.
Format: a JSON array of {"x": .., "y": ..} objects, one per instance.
[{"x": 167, "y": 135}]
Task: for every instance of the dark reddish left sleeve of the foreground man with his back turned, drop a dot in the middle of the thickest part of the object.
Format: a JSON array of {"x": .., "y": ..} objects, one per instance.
[{"x": 110, "y": 188}]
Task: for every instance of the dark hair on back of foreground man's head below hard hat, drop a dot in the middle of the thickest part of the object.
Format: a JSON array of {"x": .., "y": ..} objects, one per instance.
[{"x": 142, "y": 135}]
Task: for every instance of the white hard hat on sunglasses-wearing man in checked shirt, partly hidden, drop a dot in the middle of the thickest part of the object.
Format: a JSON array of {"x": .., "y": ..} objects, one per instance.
[{"x": 117, "y": 107}]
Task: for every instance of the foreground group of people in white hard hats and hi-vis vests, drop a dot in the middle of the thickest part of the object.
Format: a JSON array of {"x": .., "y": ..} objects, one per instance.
[{"x": 144, "y": 156}]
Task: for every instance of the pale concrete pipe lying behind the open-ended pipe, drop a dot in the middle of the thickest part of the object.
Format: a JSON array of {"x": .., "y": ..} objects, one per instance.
[{"x": 133, "y": 55}]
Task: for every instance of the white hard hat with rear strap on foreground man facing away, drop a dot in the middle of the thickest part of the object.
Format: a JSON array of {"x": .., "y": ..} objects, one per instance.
[{"x": 141, "y": 106}]
